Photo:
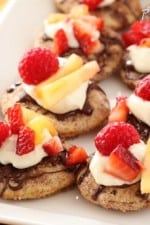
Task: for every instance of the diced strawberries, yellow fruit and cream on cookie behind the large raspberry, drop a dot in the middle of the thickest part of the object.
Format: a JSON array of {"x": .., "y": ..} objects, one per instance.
[{"x": 77, "y": 28}]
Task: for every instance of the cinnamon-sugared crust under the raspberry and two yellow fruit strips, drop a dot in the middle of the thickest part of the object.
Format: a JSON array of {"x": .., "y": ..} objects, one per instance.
[{"x": 73, "y": 125}]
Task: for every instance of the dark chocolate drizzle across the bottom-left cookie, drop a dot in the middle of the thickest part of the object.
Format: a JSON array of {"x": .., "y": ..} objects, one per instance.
[{"x": 15, "y": 179}]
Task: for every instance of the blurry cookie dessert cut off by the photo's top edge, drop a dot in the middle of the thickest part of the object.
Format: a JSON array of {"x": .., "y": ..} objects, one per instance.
[{"x": 115, "y": 13}]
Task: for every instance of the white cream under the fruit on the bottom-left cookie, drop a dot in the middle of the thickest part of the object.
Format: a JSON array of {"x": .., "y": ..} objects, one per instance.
[{"x": 8, "y": 153}]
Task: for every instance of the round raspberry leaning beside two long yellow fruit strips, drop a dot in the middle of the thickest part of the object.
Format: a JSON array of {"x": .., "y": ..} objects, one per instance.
[{"x": 37, "y": 65}]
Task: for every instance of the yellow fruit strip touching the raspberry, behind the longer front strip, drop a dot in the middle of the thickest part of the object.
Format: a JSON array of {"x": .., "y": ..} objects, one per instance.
[{"x": 73, "y": 63}]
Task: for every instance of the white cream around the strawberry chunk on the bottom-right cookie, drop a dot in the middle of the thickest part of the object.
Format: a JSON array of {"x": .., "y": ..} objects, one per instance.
[{"x": 99, "y": 162}]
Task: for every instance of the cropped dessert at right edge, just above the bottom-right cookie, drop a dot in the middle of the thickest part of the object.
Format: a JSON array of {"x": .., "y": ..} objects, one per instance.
[{"x": 135, "y": 109}]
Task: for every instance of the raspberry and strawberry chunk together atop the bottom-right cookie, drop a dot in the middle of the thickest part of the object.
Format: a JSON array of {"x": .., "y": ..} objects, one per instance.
[{"x": 114, "y": 141}]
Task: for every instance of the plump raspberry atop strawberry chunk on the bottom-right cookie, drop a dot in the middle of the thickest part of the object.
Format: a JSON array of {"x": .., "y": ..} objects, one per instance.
[{"x": 114, "y": 134}]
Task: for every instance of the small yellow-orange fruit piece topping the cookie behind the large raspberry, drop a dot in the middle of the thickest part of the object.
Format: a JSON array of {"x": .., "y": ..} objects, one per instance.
[{"x": 79, "y": 11}]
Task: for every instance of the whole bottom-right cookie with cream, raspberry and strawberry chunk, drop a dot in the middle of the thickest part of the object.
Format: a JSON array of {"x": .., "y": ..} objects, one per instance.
[{"x": 112, "y": 177}]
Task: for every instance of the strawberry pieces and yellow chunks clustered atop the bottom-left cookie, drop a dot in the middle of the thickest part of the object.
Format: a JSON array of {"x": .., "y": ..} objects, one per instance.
[{"x": 29, "y": 127}]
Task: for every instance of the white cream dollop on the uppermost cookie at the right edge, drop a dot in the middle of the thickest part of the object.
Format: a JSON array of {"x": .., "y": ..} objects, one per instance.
[{"x": 140, "y": 58}]
